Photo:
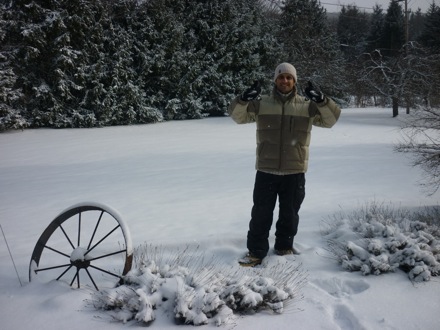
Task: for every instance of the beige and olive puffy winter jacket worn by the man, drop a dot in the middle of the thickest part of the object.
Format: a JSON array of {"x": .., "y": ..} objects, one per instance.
[{"x": 283, "y": 128}]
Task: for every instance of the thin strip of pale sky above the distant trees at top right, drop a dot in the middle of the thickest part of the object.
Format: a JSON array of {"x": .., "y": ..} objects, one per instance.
[{"x": 335, "y": 5}]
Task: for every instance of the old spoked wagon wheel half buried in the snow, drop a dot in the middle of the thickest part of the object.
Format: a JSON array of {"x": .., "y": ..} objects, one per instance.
[{"x": 94, "y": 241}]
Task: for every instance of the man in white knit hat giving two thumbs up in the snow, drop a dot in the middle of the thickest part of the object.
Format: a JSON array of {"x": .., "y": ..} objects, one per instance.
[{"x": 284, "y": 122}]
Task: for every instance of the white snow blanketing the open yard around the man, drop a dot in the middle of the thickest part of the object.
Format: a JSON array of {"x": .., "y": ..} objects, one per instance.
[{"x": 189, "y": 184}]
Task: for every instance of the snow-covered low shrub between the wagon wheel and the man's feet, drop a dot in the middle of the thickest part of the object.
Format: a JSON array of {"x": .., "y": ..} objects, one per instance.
[{"x": 198, "y": 290}]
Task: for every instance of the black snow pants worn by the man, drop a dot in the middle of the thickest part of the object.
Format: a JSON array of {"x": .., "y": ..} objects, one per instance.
[{"x": 290, "y": 190}]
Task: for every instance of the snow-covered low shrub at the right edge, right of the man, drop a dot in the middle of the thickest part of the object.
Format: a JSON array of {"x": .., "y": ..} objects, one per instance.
[{"x": 379, "y": 239}]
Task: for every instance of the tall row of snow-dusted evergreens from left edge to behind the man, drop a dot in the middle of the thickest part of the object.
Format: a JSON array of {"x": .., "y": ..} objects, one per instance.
[{"x": 75, "y": 63}]
